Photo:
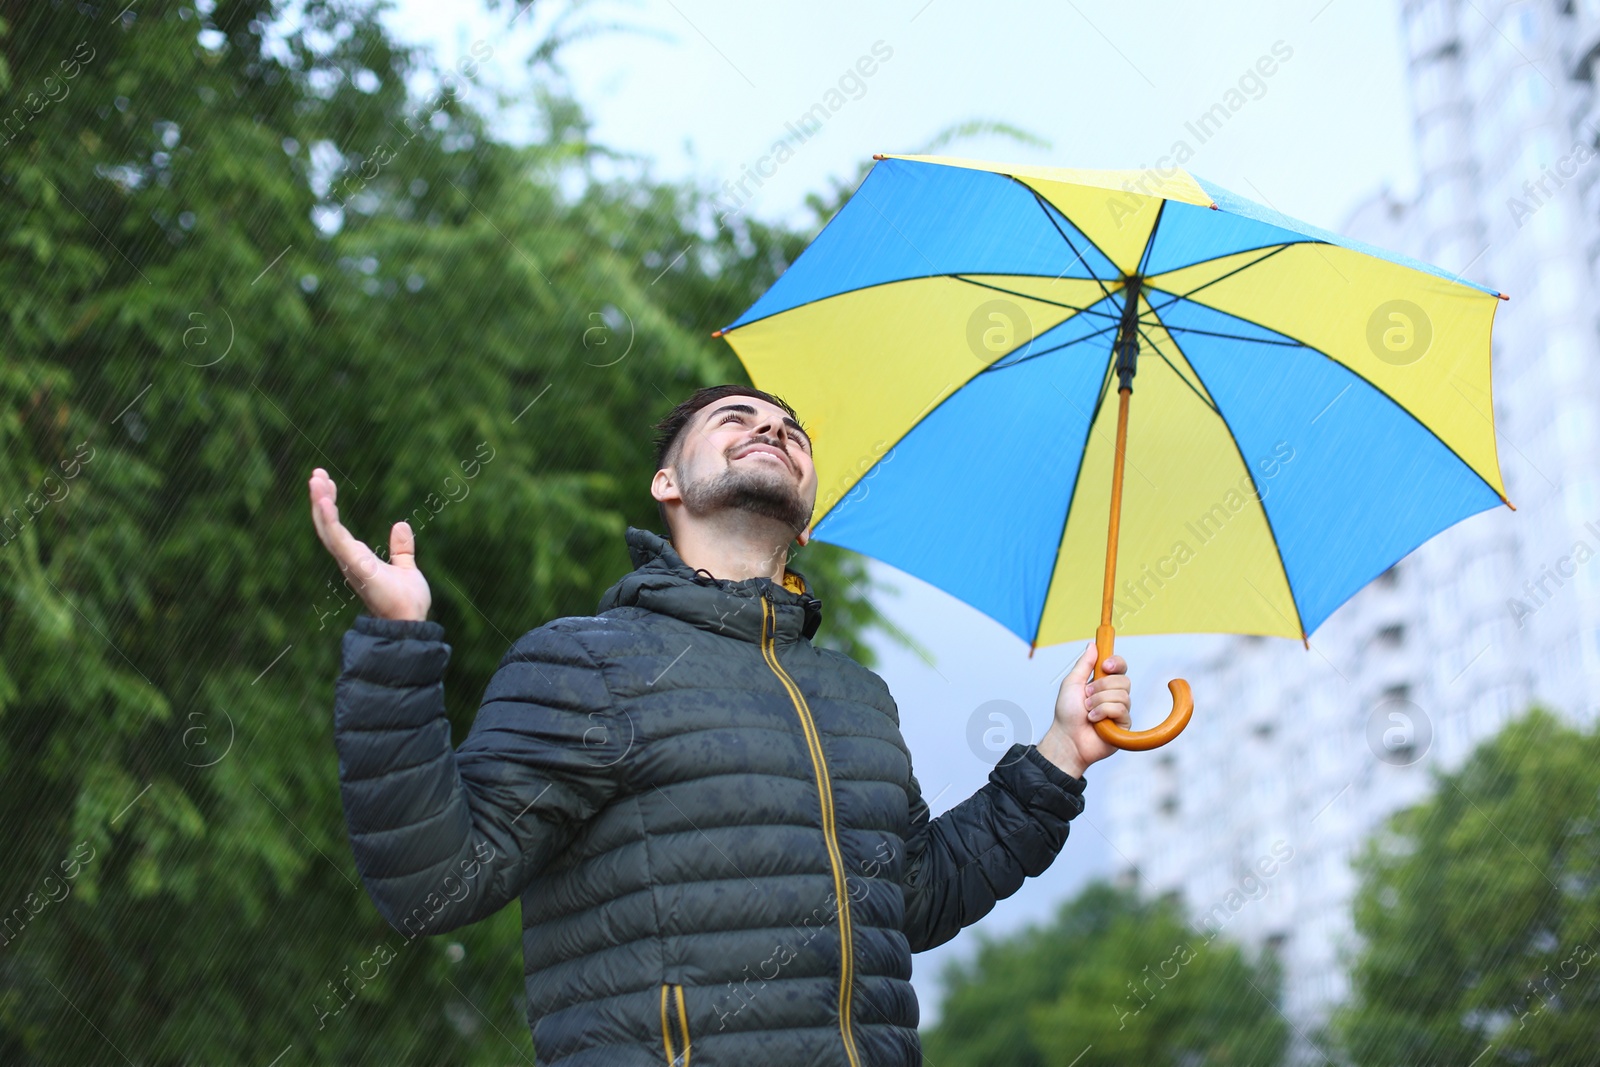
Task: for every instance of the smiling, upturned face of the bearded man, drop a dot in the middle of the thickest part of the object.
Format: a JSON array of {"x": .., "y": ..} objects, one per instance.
[{"x": 743, "y": 454}]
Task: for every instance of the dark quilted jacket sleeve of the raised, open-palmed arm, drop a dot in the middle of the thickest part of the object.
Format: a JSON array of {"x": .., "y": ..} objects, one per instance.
[{"x": 446, "y": 837}]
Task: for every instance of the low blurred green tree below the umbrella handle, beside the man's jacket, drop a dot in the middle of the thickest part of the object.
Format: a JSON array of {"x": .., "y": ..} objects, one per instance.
[{"x": 1111, "y": 981}]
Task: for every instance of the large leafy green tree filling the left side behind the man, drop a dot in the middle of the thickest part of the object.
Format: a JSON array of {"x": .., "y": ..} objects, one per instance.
[{"x": 238, "y": 249}]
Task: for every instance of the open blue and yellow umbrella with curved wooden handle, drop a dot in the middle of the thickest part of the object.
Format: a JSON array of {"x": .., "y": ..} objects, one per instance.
[{"x": 966, "y": 340}]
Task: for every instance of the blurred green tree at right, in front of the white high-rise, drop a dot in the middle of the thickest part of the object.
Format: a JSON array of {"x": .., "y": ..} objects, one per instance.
[{"x": 1479, "y": 913}]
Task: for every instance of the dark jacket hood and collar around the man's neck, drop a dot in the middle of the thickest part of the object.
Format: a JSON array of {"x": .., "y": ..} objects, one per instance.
[{"x": 663, "y": 583}]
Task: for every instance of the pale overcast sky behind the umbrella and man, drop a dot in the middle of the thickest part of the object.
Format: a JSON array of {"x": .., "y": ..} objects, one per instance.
[{"x": 703, "y": 89}]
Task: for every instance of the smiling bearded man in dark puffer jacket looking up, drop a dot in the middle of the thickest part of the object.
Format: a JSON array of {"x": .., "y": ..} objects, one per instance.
[{"x": 714, "y": 828}]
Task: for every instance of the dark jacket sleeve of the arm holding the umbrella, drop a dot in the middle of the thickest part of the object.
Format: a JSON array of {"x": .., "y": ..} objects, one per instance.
[{"x": 975, "y": 855}]
